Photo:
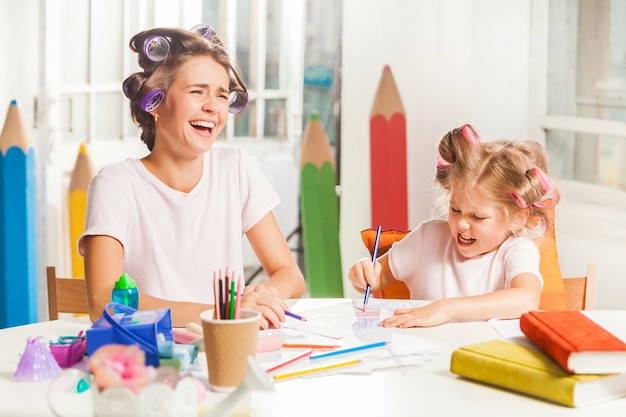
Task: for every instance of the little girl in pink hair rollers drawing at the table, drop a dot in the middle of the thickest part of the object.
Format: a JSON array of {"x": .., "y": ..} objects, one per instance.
[{"x": 481, "y": 262}]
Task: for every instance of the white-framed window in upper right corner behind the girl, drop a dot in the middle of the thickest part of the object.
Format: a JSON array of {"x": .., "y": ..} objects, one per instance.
[{"x": 586, "y": 121}]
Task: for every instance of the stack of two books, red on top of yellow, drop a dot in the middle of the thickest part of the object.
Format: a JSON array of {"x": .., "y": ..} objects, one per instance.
[{"x": 576, "y": 358}]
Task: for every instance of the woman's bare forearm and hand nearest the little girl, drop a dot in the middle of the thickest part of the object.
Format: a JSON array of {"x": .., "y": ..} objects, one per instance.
[{"x": 285, "y": 278}]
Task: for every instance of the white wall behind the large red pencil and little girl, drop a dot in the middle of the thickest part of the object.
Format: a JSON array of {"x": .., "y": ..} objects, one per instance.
[{"x": 456, "y": 62}]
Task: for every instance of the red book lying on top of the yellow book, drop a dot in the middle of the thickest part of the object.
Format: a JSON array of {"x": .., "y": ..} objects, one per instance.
[{"x": 582, "y": 342}]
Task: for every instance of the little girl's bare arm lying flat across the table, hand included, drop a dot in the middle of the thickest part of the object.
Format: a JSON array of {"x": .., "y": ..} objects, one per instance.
[{"x": 523, "y": 296}]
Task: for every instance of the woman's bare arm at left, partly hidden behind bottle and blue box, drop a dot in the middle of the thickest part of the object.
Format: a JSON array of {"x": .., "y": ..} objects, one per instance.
[{"x": 103, "y": 266}]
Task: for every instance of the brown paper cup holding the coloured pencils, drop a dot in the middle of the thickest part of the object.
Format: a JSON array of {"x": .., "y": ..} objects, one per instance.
[{"x": 227, "y": 344}]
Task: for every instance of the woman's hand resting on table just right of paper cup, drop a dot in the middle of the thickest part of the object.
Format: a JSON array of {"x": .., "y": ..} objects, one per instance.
[{"x": 264, "y": 299}]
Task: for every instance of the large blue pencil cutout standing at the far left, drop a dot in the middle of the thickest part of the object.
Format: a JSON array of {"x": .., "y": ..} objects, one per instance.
[{"x": 18, "y": 222}]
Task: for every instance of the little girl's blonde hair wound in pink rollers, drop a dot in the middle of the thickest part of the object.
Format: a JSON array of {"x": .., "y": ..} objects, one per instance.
[{"x": 511, "y": 175}]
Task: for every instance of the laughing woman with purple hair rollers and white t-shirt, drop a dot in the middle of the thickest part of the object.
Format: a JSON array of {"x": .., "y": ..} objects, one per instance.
[{"x": 176, "y": 217}]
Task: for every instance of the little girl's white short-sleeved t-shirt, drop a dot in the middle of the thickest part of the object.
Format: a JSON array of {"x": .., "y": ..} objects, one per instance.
[{"x": 429, "y": 263}]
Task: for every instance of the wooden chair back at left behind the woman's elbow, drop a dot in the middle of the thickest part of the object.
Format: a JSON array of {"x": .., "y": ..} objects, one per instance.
[{"x": 65, "y": 295}]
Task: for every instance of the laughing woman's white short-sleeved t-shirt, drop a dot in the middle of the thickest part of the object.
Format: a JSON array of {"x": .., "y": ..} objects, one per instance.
[{"x": 174, "y": 241}]
